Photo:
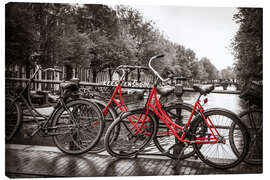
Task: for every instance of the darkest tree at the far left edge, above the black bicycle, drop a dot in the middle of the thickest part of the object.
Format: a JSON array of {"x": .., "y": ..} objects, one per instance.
[{"x": 21, "y": 37}]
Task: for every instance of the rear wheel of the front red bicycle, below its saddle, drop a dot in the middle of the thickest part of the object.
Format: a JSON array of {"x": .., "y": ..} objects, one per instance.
[{"x": 221, "y": 154}]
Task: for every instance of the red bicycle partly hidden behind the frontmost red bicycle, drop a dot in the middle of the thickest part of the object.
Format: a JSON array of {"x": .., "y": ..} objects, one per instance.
[{"x": 116, "y": 105}]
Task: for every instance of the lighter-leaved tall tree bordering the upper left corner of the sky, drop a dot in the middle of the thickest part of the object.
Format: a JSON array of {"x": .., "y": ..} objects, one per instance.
[{"x": 140, "y": 33}]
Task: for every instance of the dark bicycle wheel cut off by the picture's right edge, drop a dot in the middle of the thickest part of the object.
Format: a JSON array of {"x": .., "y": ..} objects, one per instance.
[{"x": 253, "y": 121}]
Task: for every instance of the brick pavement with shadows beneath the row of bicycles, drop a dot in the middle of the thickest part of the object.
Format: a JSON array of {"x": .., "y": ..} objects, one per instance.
[{"x": 28, "y": 161}]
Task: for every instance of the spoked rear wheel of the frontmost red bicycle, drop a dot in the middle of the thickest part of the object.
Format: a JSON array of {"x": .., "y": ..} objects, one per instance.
[{"x": 222, "y": 154}]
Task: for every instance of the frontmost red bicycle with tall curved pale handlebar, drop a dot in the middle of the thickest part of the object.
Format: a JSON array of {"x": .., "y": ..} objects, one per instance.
[{"x": 208, "y": 131}]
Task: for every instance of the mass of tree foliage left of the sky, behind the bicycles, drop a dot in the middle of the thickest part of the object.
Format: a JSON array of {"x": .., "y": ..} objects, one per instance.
[{"x": 95, "y": 36}]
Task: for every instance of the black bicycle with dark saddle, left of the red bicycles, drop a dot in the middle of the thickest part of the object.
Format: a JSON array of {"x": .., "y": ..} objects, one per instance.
[{"x": 75, "y": 124}]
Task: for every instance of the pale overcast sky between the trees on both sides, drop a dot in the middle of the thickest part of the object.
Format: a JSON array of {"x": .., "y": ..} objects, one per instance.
[{"x": 208, "y": 31}]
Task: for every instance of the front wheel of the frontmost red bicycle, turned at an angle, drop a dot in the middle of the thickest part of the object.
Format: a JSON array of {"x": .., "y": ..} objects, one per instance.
[{"x": 136, "y": 131}]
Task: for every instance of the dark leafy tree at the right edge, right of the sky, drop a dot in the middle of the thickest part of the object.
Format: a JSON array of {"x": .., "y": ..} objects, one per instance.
[{"x": 247, "y": 44}]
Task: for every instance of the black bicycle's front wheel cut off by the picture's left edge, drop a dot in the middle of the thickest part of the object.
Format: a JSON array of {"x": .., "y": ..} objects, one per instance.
[{"x": 13, "y": 117}]
